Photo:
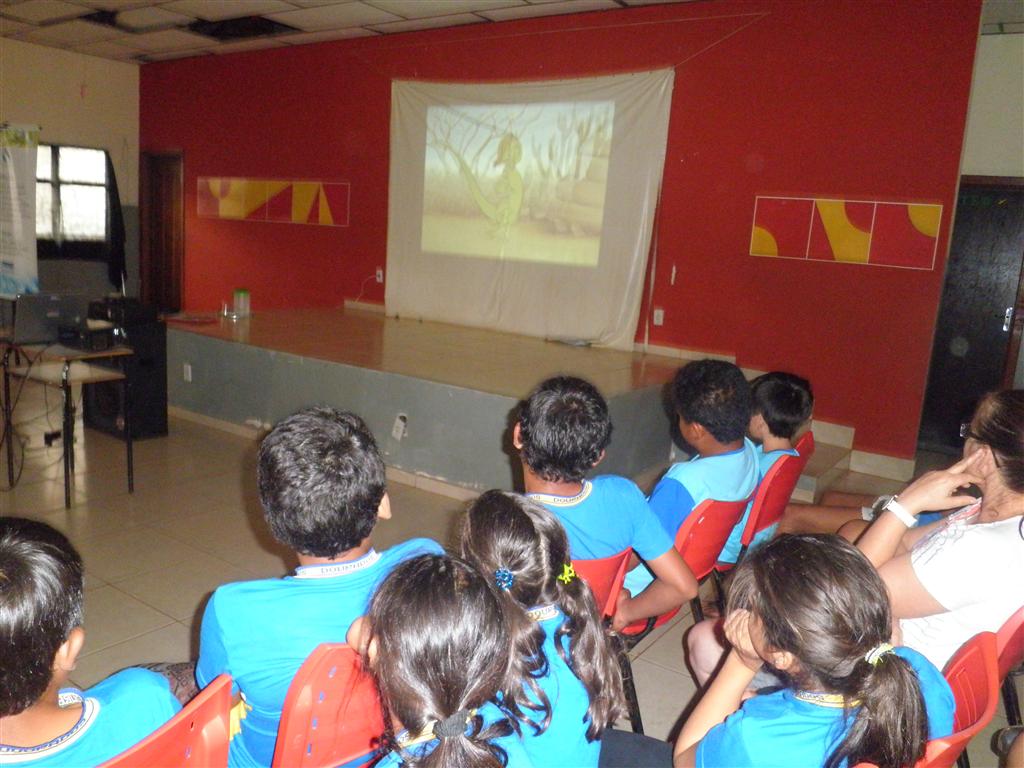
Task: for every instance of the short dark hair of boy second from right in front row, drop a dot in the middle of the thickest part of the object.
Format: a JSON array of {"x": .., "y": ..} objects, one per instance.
[{"x": 714, "y": 395}]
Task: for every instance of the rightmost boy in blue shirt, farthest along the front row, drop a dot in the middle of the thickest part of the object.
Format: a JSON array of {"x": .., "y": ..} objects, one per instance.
[{"x": 783, "y": 405}]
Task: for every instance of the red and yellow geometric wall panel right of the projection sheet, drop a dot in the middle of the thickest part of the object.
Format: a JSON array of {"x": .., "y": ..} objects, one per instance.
[{"x": 854, "y": 232}]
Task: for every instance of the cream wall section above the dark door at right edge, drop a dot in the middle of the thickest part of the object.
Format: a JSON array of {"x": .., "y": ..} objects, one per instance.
[{"x": 995, "y": 142}]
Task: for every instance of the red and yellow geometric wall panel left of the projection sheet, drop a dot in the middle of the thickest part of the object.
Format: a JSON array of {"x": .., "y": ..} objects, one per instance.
[{"x": 322, "y": 203}]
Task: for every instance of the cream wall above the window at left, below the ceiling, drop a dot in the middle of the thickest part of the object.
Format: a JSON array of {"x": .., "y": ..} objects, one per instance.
[{"x": 77, "y": 100}]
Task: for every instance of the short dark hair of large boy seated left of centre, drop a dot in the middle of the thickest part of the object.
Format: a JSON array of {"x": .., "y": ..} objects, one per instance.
[{"x": 321, "y": 482}]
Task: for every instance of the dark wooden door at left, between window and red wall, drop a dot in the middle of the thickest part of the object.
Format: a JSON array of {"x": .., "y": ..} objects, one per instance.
[{"x": 162, "y": 247}]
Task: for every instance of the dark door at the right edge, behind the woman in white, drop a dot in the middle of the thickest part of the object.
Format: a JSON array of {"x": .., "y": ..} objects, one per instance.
[{"x": 976, "y": 317}]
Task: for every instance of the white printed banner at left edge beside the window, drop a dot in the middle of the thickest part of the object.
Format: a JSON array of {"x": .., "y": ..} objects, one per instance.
[{"x": 19, "y": 271}]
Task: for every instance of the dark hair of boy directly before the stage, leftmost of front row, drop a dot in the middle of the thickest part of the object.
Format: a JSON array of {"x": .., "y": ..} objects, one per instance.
[{"x": 565, "y": 426}]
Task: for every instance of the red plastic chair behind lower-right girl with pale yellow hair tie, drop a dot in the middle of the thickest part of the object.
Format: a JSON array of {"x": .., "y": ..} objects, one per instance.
[{"x": 973, "y": 674}]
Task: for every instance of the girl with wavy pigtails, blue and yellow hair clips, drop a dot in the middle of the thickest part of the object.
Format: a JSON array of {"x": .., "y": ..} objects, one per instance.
[{"x": 572, "y": 681}]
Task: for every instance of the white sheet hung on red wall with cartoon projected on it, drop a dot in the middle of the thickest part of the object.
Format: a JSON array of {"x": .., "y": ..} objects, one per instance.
[{"x": 527, "y": 207}]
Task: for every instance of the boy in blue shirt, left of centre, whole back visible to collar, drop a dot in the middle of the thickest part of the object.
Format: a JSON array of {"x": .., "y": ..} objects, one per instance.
[{"x": 322, "y": 487}]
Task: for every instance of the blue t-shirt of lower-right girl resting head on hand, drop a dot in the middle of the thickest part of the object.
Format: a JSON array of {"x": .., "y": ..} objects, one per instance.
[{"x": 779, "y": 730}]
